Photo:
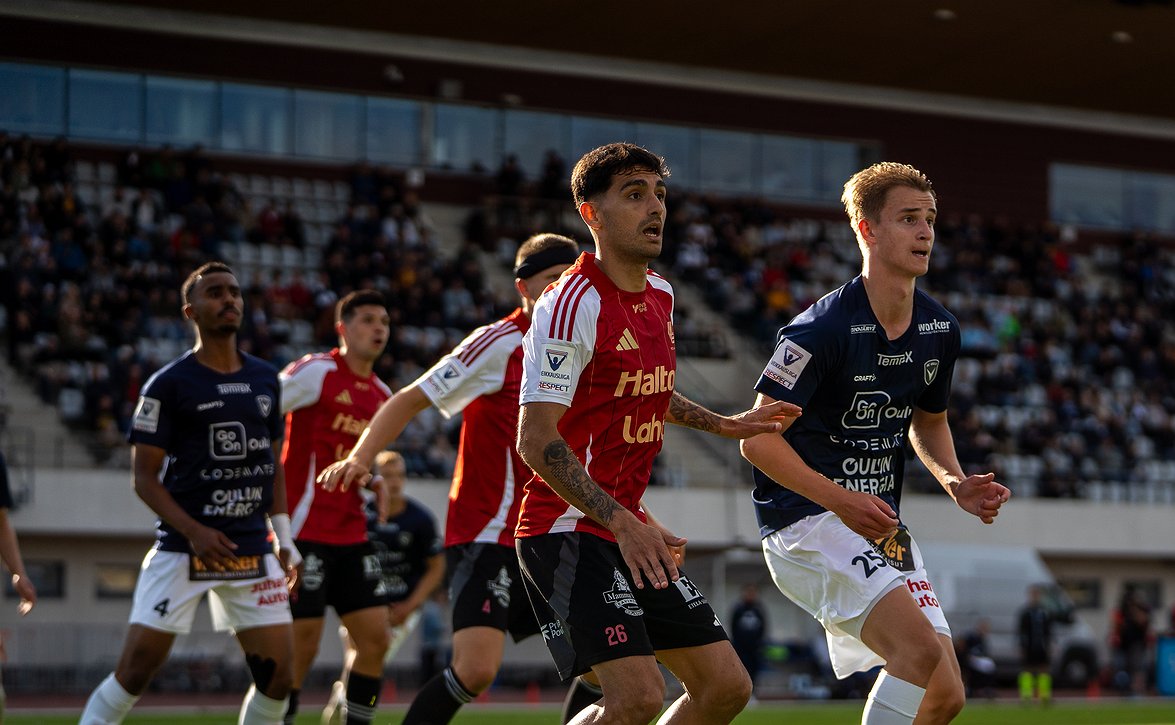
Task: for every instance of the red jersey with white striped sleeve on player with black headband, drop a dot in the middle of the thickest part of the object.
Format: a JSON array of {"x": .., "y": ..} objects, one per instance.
[{"x": 481, "y": 379}]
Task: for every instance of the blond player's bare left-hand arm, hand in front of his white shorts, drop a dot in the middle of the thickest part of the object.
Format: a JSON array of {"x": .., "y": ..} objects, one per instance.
[{"x": 865, "y": 514}]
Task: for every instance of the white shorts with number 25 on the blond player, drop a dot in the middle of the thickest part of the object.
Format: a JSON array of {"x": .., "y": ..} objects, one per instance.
[{"x": 837, "y": 576}]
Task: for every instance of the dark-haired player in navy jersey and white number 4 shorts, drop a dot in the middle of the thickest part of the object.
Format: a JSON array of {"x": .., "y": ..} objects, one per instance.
[{"x": 206, "y": 438}]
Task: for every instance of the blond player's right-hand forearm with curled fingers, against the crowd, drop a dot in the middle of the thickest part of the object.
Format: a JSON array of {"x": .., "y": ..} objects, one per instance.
[{"x": 979, "y": 494}]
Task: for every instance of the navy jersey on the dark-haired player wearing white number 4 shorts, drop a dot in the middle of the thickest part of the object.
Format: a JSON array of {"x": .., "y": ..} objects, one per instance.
[{"x": 218, "y": 431}]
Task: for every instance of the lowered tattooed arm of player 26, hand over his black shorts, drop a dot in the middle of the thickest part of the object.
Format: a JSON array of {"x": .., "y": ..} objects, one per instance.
[{"x": 546, "y": 452}]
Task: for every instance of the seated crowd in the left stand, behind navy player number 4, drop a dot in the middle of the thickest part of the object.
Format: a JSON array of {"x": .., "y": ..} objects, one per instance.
[{"x": 92, "y": 284}]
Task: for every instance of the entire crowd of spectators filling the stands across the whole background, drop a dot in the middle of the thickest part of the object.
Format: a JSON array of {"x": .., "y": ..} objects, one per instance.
[{"x": 1069, "y": 350}]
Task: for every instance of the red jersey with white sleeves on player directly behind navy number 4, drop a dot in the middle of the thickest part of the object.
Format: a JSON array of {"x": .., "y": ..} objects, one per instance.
[{"x": 327, "y": 407}]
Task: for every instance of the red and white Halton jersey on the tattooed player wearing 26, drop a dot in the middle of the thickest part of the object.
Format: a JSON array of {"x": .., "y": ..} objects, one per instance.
[{"x": 609, "y": 357}]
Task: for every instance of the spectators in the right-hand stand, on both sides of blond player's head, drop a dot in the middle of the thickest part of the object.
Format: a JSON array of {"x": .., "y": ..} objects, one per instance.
[{"x": 1069, "y": 354}]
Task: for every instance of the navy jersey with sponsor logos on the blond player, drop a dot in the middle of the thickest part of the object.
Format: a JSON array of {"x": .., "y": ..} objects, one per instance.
[{"x": 858, "y": 391}]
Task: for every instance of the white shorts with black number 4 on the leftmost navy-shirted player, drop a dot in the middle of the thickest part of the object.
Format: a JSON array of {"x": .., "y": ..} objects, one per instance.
[{"x": 166, "y": 598}]
